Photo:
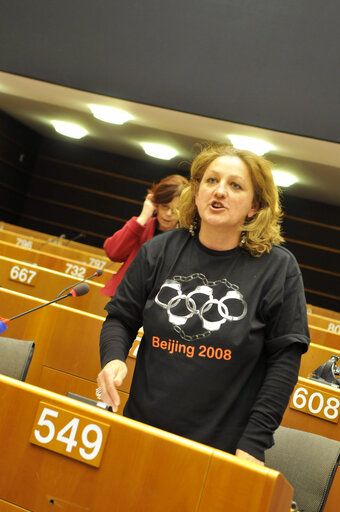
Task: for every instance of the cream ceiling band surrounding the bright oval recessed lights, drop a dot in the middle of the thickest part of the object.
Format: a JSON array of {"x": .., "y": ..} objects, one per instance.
[{"x": 34, "y": 103}]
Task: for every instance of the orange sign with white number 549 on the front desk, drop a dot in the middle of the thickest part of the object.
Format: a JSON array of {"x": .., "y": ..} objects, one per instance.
[{"x": 64, "y": 432}]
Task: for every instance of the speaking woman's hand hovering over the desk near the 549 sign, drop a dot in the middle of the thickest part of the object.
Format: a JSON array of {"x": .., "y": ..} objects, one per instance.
[{"x": 111, "y": 376}]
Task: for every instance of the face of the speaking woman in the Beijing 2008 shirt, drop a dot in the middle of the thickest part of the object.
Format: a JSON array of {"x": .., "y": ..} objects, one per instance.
[{"x": 225, "y": 197}]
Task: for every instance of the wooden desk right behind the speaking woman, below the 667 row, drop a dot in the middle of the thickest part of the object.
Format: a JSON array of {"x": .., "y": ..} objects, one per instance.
[{"x": 66, "y": 356}]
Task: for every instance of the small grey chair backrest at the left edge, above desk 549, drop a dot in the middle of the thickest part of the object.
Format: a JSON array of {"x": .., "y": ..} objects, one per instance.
[{"x": 15, "y": 357}]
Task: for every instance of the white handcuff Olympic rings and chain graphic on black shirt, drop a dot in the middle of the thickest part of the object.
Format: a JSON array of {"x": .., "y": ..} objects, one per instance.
[{"x": 214, "y": 312}]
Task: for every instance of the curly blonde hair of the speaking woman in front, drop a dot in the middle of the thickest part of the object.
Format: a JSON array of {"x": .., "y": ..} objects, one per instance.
[{"x": 262, "y": 230}]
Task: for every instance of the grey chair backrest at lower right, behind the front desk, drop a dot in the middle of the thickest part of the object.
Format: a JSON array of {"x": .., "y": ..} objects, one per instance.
[{"x": 309, "y": 463}]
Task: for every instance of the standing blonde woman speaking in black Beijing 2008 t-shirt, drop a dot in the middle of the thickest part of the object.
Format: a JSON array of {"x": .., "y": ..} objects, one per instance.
[{"x": 223, "y": 310}]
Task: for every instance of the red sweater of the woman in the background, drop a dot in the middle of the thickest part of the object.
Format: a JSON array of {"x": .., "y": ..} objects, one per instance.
[{"x": 123, "y": 245}]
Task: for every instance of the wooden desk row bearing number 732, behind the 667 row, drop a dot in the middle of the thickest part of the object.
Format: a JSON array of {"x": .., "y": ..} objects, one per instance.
[{"x": 54, "y": 262}]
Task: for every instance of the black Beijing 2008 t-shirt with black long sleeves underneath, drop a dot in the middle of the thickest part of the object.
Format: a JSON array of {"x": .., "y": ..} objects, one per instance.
[{"x": 223, "y": 336}]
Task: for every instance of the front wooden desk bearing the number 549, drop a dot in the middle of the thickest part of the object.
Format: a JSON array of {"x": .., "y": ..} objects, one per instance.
[{"x": 141, "y": 468}]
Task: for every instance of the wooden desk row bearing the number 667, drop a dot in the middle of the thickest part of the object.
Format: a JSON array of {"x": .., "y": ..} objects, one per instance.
[{"x": 47, "y": 284}]
